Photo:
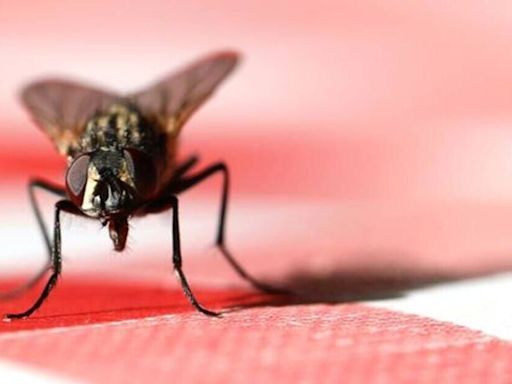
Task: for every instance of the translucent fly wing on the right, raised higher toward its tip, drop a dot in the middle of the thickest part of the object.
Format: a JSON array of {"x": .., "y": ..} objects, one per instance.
[{"x": 172, "y": 100}]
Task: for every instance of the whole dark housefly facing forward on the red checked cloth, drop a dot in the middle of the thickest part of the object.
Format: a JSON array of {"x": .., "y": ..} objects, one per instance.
[{"x": 121, "y": 154}]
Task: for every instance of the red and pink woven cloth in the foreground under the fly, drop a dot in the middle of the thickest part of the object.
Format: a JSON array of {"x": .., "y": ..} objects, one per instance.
[{"x": 305, "y": 343}]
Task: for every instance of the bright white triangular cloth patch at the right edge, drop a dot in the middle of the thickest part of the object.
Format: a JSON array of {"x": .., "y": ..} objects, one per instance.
[{"x": 482, "y": 304}]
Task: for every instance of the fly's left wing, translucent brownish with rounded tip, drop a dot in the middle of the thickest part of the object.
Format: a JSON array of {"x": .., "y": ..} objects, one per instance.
[{"x": 61, "y": 108}]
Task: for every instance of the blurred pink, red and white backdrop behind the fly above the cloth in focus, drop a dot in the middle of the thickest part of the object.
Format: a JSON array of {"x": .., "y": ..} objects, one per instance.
[{"x": 366, "y": 138}]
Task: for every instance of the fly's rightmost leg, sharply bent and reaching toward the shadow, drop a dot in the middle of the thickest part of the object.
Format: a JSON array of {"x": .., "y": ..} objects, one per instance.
[{"x": 189, "y": 182}]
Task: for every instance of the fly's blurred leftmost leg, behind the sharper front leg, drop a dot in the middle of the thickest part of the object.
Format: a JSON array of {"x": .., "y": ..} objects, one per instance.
[{"x": 59, "y": 191}]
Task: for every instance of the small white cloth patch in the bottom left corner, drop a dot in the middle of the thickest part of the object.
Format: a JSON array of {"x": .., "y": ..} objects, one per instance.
[{"x": 17, "y": 373}]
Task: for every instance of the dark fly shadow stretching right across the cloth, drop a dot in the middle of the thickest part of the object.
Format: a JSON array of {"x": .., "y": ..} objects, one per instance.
[{"x": 366, "y": 281}]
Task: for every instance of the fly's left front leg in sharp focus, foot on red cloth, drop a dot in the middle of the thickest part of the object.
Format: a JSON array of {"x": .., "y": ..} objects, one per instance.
[{"x": 55, "y": 260}]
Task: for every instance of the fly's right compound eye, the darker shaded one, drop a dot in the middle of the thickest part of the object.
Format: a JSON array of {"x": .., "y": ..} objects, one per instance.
[{"x": 143, "y": 172}]
